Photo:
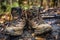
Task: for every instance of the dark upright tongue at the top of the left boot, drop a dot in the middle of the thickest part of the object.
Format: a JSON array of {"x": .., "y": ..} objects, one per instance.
[{"x": 16, "y": 12}]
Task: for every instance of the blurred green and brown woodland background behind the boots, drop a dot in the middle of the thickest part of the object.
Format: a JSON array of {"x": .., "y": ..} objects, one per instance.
[{"x": 6, "y": 5}]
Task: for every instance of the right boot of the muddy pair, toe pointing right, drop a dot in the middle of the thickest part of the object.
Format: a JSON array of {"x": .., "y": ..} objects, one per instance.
[{"x": 36, "y": 22}]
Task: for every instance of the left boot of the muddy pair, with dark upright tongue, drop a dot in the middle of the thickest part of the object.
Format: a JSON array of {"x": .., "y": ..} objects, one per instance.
[{"x": 16, "y": 26}]
